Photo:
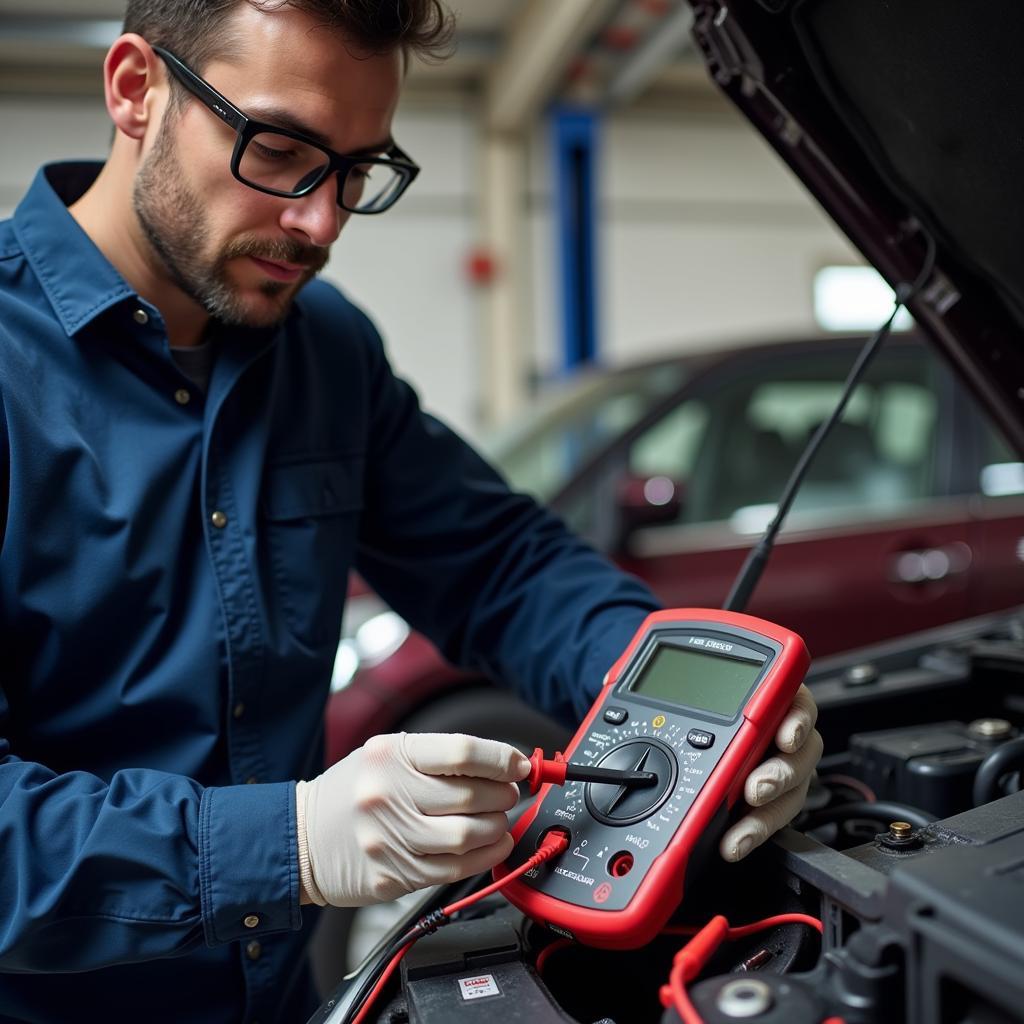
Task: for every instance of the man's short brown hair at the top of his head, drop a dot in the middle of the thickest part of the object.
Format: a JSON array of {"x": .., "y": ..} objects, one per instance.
[{"x": 191, "y": 29}]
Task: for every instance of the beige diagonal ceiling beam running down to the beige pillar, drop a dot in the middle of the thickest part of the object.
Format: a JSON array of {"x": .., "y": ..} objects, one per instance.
[{"x": 540, "y": 49}]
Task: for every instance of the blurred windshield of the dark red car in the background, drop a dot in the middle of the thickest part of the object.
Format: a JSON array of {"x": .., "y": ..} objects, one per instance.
[{"x": 545, "y": 447}]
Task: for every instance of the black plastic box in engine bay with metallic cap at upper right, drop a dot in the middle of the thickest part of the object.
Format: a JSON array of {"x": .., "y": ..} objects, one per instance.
[{"x": 928, "y": 766}]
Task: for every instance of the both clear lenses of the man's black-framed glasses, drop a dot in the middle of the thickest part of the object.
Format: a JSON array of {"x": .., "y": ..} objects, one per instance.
[{"x": 289, "y": 166}]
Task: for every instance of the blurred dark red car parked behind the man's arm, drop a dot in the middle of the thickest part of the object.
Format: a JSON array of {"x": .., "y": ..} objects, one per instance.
[{"x": 912, "y": 517}]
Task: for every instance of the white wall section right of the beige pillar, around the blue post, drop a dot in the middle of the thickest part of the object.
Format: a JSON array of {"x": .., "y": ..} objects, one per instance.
[{"x": 704, "y": 236}]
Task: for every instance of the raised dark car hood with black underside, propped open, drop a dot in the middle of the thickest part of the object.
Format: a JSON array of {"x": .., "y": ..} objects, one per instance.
[{"x": 906, "y": 120}]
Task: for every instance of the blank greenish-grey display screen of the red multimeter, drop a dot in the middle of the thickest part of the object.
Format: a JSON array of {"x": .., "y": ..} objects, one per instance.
[{"x": 697, "y": 680}]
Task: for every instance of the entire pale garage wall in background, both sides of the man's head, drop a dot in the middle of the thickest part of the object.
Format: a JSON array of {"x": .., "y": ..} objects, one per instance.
[{"x": 703, "y": 238}]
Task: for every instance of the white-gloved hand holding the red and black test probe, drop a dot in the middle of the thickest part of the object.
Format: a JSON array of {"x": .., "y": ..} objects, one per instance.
[{"x": 404, "y": 813}]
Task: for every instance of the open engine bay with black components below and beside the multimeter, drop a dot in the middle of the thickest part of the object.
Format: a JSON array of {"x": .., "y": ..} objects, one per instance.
[{"x": 911, "y": 852}]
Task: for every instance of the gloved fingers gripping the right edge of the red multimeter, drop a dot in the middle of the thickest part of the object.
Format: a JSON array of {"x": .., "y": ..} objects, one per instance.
[{"x": 777, "y": 789}]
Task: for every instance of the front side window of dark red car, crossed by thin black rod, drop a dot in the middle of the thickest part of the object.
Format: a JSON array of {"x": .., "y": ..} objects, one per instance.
[{"x": 734, "y": 448}]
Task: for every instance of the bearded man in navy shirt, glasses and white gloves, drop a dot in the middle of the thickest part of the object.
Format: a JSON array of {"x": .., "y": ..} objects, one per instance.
[{"x": 200, "y": 442}]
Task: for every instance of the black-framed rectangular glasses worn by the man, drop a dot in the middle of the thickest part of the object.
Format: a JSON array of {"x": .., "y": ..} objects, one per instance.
[{"x": 281, "y": 162}]
